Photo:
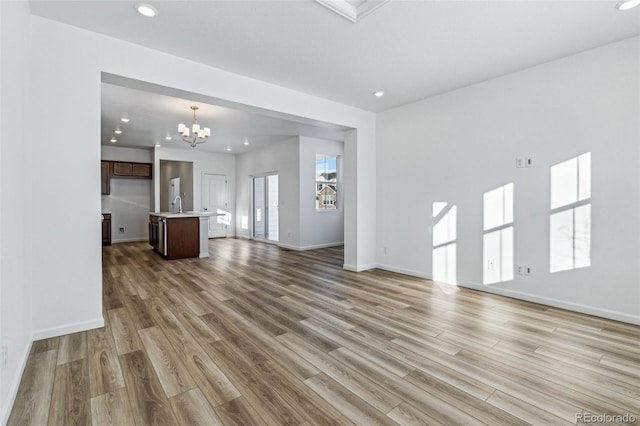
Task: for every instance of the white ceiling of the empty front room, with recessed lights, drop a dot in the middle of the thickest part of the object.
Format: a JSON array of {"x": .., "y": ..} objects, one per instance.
[{"x": 409, "y": 49}]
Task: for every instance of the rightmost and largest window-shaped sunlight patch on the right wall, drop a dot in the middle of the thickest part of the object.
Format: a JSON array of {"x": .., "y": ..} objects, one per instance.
[{"x": 570, "y": 218}]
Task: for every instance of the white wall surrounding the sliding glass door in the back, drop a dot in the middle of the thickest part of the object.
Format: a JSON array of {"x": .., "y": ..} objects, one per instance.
[{"x": 283, "y": 158}]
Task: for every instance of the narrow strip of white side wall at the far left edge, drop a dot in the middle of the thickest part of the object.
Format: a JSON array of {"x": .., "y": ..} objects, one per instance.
[{"x": 15, "y": 199}]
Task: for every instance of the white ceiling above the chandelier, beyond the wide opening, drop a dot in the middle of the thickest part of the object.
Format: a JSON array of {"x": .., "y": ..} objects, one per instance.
[{"x": 155, "y": 112}]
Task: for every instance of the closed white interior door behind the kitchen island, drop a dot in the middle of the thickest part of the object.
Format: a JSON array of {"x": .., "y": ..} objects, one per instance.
[{"x": 214, "y": 199}]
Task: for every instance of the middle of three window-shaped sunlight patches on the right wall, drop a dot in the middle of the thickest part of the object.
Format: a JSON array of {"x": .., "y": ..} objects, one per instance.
[{"x": 497, "y": 245}]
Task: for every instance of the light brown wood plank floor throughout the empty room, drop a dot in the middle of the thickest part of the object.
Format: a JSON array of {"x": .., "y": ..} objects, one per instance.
[{"x": 256, "y": 335}]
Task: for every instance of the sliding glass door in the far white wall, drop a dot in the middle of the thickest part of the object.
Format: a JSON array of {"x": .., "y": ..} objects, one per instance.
[{"x": 265, "y": 208}]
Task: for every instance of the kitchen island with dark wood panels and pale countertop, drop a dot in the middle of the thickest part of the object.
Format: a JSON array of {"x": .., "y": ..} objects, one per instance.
[{"x": 180, "y": 235}]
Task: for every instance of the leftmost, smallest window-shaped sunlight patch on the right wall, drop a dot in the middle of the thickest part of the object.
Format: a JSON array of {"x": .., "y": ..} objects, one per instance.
[{"x": 444, "y": 243}]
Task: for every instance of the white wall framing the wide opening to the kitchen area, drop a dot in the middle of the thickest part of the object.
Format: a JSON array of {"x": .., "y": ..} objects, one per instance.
[{"x": 66, "y": 83}]
